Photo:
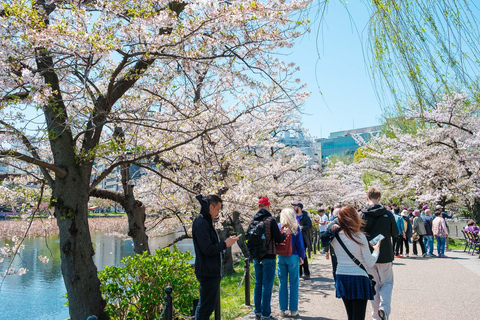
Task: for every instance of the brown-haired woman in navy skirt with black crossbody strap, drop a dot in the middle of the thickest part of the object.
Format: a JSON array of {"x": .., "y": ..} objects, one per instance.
[{"x": 352, "y": 284}]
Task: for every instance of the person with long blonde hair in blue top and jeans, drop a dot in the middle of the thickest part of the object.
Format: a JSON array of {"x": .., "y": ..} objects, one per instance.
[{"x": 288, "y": 266}]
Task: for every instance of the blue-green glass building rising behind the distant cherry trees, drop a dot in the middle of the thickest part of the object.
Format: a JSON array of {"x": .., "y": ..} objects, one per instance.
[{"x": 342, "y": 143}]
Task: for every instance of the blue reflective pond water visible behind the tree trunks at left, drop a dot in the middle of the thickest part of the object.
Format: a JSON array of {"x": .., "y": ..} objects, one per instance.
[{"x": 38, "y": 293}]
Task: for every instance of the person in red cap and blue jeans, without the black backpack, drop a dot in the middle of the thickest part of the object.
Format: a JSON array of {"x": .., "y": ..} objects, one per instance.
[{"x": 265, "y": 267}]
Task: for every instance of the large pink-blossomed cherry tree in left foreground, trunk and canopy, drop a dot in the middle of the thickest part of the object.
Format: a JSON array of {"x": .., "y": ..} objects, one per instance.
[{"x": 71, "y": 72}]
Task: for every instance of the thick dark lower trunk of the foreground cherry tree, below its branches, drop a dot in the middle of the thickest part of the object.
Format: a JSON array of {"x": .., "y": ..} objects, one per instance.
[{"x": 70, "y": 198}]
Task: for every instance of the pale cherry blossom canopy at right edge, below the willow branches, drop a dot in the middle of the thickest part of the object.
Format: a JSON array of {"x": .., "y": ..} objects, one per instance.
[{"x": 435, "y": 164}]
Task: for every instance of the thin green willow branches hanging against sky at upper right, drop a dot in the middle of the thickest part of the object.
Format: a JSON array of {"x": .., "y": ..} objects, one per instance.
[{"x": 423, "y": 49}]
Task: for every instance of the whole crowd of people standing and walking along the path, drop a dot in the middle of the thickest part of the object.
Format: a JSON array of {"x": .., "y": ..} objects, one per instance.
[{"x": 361, "y": 243}]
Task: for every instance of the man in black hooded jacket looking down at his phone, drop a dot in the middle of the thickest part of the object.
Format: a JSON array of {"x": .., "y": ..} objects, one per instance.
[{"x": 208, "y": 258}]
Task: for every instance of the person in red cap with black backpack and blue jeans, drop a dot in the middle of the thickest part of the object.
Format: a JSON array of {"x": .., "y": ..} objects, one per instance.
[{"x": 261, "y": 236}]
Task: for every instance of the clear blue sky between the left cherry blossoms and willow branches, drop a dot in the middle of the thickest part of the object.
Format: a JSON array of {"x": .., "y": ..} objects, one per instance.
[{"x": 347, "y": 98}]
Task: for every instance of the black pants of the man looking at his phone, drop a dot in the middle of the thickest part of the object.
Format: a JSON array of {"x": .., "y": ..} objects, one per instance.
[{"x": 209, "y": 289}]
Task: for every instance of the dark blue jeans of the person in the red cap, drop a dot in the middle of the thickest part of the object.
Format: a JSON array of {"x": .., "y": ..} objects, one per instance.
[{"x": 264, "y": 276}]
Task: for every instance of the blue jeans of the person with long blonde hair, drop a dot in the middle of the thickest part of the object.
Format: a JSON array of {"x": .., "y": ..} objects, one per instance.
[{"x": 288, "y": 274}]
